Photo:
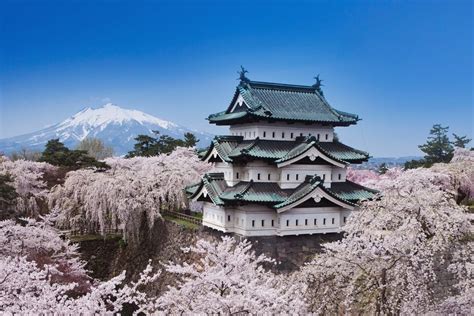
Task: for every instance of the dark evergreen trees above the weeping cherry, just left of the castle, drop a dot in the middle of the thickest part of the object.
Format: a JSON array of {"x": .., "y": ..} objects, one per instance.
[{"x": 148, "y": 146}]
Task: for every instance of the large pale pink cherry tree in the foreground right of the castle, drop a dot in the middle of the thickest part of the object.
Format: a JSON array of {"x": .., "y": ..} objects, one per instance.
[{"x": 387, "y": 262}]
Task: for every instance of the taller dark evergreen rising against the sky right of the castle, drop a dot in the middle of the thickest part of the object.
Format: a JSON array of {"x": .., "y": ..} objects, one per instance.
[{"x": 437, "y": 148}]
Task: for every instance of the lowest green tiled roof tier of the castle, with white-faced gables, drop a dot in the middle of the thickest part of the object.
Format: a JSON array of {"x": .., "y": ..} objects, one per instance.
[{"x": 270, "y": 193}]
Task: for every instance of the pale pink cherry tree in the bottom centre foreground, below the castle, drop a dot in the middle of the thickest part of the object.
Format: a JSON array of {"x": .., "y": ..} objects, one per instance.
[{"x": 228, "y": 279}]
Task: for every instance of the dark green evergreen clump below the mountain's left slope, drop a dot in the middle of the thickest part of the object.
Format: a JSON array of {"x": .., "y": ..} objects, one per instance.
[{"x": 57, "y": 154}]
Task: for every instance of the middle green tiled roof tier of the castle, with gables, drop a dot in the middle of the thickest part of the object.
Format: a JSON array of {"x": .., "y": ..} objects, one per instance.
[{"x": 235, "y": 148}]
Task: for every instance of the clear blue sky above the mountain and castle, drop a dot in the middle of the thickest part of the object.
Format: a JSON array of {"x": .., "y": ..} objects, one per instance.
[{"x": 400, "y": 65}]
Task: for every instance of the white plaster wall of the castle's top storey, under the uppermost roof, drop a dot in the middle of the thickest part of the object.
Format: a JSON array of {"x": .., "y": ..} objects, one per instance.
[{"x": 282, "y": 131}]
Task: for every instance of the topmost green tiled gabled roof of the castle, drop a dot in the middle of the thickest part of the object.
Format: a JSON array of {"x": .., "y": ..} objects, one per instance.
[{"x": 281, "y": 102}]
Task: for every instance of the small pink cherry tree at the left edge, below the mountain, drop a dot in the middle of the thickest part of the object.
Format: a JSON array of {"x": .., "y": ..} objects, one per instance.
[{"x": 29, "y": 184}]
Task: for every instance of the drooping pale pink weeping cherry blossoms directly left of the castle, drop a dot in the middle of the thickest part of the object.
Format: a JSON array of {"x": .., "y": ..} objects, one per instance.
[{"x": 128, "y": 195}]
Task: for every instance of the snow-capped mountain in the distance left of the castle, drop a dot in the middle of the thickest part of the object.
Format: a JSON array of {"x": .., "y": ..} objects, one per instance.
[{"x": 116, "y": 126}]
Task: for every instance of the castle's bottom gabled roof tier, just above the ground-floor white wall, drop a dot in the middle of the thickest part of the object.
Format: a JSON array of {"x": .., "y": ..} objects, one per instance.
[{"x": 214, "y": 188}]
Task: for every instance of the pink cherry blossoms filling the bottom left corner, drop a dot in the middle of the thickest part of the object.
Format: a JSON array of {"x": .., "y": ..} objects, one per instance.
[{"x": 41, "y": 273}]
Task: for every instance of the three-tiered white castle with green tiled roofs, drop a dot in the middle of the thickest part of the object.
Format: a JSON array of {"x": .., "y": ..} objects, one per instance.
[{"x": 282, "y": 170}]
